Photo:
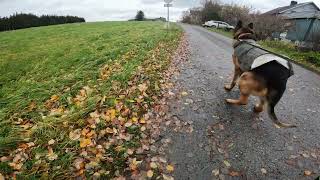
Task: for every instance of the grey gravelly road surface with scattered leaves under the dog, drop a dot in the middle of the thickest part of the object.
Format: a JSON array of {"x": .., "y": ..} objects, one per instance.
[{"x": 232, "y": 142}]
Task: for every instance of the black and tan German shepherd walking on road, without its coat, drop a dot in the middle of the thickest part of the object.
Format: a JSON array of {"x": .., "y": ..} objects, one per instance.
[{"x": 267, "y": 81}]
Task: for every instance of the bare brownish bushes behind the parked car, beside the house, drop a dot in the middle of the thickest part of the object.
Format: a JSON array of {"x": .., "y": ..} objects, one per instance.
[{"x": 265, "y": 25}]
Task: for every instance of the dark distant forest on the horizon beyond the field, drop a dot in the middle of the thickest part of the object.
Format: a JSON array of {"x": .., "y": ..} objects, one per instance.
[{"x": 20, "y": 21}]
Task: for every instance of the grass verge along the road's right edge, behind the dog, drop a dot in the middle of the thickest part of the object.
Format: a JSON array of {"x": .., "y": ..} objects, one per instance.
[{"x": 309, "y": 59}]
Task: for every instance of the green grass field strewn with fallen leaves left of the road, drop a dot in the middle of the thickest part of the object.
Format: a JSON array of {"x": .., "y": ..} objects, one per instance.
[{"x": 63, "y": 87}]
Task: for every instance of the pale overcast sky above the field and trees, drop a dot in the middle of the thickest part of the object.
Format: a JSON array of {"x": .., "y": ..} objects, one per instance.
[{"x": 106, "y": 10}]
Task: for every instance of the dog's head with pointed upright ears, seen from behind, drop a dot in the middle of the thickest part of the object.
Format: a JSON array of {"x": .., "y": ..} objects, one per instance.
[{"x": 244, "y": 32}]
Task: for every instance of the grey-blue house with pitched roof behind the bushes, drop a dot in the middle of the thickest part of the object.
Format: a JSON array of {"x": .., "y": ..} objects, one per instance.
[{"x": 303, "y": 21}]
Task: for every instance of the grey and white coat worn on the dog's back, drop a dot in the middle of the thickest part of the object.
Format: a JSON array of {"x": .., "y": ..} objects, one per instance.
[{"x": 251, "y": 55}]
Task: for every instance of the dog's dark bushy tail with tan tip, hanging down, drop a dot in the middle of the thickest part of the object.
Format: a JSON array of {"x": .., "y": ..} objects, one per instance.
[{"x": 273, "y": 98}]
